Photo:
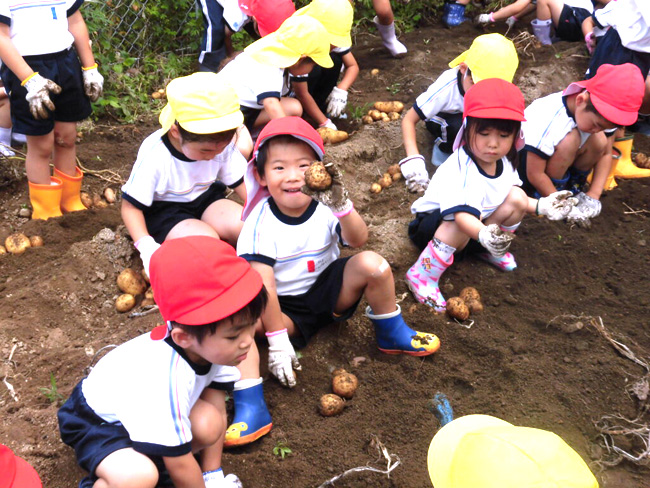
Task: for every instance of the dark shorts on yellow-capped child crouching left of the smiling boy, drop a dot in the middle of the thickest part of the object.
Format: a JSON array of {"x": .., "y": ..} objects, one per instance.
[{"x": 161, "y": 217}]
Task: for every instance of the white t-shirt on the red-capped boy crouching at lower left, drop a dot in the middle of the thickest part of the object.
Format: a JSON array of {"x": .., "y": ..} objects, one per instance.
[{"x": 150, "y": 387}]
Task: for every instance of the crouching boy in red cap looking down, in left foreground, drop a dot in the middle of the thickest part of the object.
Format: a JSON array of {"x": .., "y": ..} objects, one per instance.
[{"x": 159, "y": 399}]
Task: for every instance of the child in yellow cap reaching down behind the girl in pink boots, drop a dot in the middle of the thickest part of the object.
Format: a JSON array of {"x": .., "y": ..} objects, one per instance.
[{"x": 441, "y": 106}]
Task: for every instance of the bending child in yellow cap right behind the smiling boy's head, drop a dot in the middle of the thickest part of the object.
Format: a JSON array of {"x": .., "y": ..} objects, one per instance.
[{"x": 259, "y": 74}]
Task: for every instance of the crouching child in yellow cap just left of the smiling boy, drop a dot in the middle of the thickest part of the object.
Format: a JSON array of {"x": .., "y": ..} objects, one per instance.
[{"x": 179, "y": 181}]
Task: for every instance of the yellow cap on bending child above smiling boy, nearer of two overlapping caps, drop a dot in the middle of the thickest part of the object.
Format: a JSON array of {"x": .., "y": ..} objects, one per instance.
[{"x": 296, "y": 37}]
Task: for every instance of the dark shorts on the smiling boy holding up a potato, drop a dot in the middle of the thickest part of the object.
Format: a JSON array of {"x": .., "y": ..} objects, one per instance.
[{"x": 314, "y": 309}]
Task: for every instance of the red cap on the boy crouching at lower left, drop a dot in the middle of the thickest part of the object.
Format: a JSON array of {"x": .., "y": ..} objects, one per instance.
[{"x": 200, "y": 279}]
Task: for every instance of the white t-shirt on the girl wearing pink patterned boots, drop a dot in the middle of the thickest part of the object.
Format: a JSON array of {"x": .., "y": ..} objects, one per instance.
[{"x": 460, "y": 185}]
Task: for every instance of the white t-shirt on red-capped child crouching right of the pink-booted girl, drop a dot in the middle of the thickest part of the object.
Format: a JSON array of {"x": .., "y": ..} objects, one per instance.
[{"x": 548, "y": 121}]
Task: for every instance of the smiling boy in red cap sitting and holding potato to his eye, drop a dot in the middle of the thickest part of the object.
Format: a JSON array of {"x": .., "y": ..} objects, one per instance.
[{"x": 291, "y": 235}]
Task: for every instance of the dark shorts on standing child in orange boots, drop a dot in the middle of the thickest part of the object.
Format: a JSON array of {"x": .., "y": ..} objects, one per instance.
[{"x": 72, "y": 104}]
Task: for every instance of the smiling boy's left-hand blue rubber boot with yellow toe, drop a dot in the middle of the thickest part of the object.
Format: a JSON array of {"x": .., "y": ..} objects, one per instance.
[{"x": 252, "y": 419}]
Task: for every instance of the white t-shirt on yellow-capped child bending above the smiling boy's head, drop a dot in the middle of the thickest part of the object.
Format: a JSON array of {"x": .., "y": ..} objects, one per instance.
[{"x": 253, "y": 81}]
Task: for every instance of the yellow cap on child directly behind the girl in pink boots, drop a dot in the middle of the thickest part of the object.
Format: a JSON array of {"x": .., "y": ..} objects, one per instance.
[{"x": 490, "y": 56}]
